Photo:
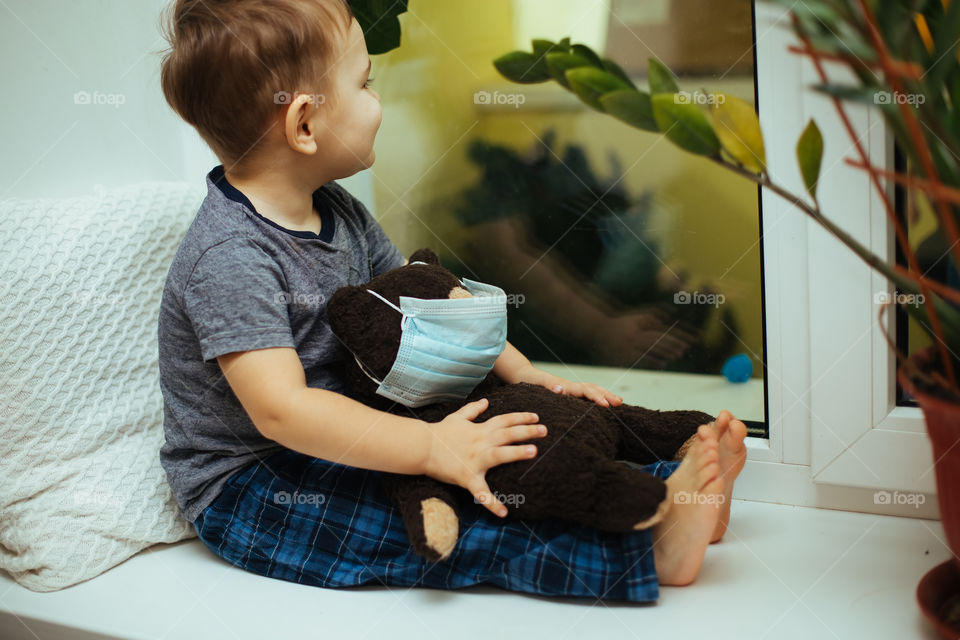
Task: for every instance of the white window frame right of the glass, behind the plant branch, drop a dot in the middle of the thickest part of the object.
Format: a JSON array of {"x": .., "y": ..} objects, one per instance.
[{"x": 836, "y": 436}]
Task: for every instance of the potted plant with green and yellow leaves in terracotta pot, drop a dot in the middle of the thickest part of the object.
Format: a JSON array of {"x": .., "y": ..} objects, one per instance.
[{"x": 903, "y": 57}]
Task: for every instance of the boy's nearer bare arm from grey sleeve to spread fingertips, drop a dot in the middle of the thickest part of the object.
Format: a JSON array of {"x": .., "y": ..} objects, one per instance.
[{"x": 271, "y": 386}]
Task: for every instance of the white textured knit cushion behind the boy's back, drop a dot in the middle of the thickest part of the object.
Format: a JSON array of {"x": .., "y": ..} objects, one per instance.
[{"x": 81, "y": 414}]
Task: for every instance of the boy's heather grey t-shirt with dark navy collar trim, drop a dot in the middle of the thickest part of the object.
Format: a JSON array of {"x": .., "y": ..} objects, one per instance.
[{"x": 240, "y": 282}]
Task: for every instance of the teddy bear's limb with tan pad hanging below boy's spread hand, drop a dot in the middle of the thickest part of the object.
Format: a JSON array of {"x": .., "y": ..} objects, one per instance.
[{"x": 428, "y": 513}]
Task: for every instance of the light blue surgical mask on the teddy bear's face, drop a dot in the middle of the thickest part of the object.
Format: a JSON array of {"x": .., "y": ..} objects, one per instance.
[{"x": 447, "y": 346}]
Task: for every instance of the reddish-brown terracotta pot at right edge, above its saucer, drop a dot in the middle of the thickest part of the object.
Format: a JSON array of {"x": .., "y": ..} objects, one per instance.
[{"x": 943, "y": 426}]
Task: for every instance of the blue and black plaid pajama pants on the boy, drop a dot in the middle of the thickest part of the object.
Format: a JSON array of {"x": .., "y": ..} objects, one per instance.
[{"x": 306, "y": 520}]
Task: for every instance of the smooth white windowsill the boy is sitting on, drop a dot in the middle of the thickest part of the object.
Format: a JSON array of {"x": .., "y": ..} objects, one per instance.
[{"x": 781, "y": 572}]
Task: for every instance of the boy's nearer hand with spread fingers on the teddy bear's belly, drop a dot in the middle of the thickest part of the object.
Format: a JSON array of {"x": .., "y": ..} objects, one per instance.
[{"x": 461, "y": 450}]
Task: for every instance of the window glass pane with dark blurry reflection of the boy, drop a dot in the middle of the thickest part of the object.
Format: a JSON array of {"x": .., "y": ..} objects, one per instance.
[{"x": 629, "y": 262}]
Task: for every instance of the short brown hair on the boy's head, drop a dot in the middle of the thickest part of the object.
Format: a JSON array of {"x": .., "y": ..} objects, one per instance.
[{"x": 233, "y": 64}]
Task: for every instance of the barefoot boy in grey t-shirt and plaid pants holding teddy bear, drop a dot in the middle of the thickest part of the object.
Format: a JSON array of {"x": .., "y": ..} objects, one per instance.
[{"x": 265, "y": 456}]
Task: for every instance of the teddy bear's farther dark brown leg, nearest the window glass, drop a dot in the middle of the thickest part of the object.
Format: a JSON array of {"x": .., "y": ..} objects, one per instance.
[{"x": 648, "y": 435}]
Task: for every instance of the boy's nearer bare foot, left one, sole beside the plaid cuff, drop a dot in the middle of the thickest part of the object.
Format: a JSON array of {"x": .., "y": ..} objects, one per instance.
[{"x": 694, "y": 491}]
